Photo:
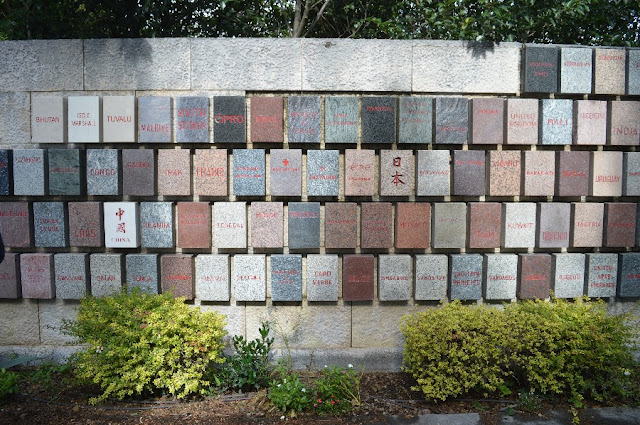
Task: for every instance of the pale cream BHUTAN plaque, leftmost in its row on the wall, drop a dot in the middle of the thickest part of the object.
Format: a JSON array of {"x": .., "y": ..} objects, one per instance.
[{"x": 47, "y": 119}]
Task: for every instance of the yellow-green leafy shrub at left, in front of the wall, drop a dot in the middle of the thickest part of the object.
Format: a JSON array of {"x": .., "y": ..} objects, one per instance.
[{"x": 138, "y": 343}]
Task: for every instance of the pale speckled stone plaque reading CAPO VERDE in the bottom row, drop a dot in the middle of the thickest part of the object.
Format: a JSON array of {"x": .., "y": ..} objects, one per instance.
[{"x": 322, "y": 278}]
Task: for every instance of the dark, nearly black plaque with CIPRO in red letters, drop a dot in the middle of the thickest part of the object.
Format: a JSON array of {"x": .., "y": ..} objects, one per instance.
[{"x": 229, "y": 119}]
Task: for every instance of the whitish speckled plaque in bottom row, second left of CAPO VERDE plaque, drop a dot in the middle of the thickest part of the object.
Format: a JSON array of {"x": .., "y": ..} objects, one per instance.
[{"x": 249, "y": 278}]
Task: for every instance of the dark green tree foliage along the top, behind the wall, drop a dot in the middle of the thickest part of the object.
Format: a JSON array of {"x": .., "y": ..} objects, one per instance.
[{"x": 598, "y": 22}]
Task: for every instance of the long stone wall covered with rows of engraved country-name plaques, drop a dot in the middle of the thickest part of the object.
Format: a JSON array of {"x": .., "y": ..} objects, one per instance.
[{"x": 329, "y": 186}]
